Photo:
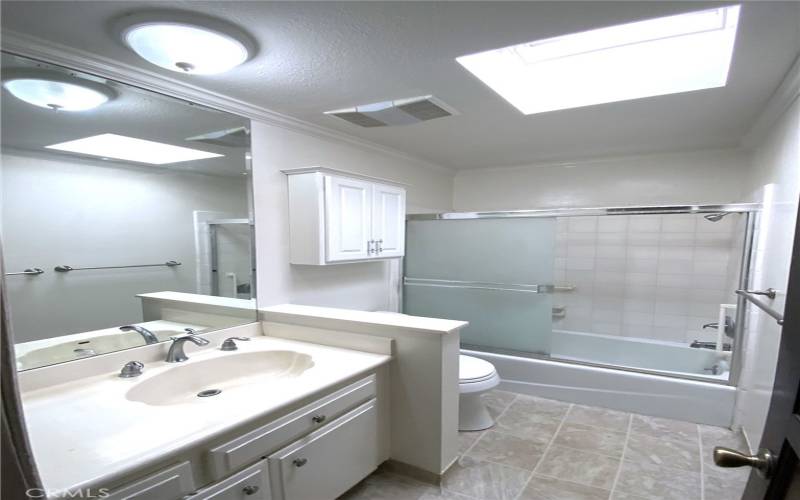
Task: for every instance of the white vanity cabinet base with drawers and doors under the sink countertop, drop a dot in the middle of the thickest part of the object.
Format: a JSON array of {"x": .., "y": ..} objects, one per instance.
[{"x": 316, "y": 452}]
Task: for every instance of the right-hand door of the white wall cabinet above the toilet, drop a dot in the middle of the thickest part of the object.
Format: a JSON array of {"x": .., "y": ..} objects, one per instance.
[{"x": 389, "y": 220}]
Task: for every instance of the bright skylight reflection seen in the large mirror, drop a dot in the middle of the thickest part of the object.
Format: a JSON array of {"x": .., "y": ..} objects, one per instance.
[{"x": 121, "y": 147}]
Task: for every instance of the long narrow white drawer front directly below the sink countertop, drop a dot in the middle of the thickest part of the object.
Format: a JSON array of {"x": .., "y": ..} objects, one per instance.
[{"x": 249, "y": 447}]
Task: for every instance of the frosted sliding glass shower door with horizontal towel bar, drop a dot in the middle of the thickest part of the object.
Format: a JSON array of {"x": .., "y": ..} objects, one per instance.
[{"x": 495, "y": 273}]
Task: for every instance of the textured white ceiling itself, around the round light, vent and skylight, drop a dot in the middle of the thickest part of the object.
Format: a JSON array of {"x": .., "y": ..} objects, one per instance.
[{"x": 318, "y": 56}]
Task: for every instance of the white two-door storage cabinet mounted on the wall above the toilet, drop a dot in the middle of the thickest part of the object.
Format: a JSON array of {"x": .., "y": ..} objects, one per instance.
[{"x": 335, "y": 218}]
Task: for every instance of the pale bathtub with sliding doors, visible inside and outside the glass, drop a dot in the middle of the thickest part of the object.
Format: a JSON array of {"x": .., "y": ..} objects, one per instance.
[{"x": 658, "y": 394}]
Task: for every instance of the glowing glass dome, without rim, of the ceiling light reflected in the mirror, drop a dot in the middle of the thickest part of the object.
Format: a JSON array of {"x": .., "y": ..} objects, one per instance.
[{"x": 55, "y": 95}]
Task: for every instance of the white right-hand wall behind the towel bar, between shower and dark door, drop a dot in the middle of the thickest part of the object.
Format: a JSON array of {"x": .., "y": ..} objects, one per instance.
[{"x": 774, "y": 180}]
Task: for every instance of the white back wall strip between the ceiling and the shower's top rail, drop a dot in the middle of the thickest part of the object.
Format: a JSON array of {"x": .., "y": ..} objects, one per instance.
[{"x": 703, "y": 176}]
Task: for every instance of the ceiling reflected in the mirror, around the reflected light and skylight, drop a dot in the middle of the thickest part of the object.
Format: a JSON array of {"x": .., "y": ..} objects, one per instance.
[{"x": 133, "y": 112}]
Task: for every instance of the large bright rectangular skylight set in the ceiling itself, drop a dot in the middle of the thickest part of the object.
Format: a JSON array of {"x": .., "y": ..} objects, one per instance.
[{"x": 648, "y": 58}]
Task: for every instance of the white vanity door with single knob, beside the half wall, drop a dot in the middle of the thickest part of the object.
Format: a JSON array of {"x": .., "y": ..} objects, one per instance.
[{"x": 330, "y": 460}]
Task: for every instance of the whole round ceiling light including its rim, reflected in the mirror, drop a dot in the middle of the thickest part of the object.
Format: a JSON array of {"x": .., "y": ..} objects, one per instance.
[{"x": 56, "y": 91}]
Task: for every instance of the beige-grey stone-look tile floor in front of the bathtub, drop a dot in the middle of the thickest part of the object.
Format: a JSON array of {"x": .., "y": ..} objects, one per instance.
[{"x": 542, "y": 449}]
